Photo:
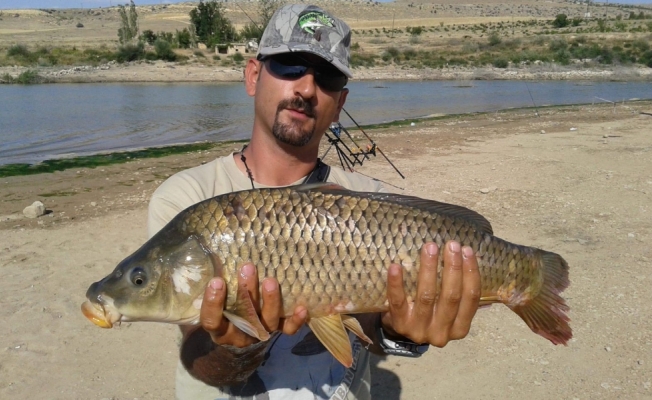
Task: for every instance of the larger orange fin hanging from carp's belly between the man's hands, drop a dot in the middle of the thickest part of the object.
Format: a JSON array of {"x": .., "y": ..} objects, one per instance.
[{"x": 331, "y": 333}]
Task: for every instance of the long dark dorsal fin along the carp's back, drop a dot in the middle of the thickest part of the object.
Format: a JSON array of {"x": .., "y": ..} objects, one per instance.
[{"x": 436, "y": 207}]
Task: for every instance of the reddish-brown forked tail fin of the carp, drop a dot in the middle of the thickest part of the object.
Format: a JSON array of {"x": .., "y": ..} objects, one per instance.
[{"x": 545, "y": 314}]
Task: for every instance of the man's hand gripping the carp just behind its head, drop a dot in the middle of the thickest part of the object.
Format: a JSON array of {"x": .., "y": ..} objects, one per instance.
[{"x": 223, "y": 332}]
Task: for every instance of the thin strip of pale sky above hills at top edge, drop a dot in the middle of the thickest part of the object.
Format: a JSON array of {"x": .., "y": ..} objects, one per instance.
[{"x": 11, "y": 4}]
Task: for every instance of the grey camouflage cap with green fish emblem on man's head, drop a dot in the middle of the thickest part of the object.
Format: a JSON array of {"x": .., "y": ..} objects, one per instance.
[{"x": 306, "y": 28}]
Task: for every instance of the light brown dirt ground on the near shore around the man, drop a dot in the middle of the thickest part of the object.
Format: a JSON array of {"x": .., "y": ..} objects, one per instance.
[{"x": 576, "y": 181}]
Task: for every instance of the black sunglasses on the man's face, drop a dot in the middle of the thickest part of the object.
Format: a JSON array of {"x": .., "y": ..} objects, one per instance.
[{"x": 292, "y": 66}]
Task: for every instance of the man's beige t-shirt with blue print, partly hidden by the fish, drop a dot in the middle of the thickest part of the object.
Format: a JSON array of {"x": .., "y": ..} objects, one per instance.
[{"x": 294, "y": 368}]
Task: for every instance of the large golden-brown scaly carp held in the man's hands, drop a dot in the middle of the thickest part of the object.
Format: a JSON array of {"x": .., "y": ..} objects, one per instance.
[{"x": 330, "y": 249}]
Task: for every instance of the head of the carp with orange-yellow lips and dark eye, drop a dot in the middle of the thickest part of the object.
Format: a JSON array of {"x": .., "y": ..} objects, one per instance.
[{"x": 163, "y": 281}]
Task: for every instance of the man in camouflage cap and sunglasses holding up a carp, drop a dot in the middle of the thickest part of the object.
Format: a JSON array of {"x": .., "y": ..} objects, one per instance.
[{"x": 297, "y": 82}]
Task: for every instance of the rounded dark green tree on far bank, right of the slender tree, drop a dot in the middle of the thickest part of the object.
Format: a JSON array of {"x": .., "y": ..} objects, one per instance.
[{"x": 211, "y": 24}]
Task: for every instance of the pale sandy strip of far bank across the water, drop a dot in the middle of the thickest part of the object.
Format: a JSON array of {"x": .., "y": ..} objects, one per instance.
[{"x": 160, "y": 71}]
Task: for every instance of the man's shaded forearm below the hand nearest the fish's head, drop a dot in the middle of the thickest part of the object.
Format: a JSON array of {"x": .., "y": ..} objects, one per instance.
[{"x": 218, "y": 365}]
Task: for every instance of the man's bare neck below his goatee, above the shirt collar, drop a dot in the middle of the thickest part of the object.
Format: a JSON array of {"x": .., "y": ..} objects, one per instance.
[{"x": 273, "y": 165}]
